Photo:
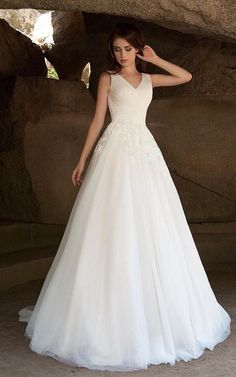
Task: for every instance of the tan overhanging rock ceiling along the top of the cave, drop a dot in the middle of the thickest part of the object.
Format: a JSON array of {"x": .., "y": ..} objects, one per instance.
[{"x": 213, "y": 17}]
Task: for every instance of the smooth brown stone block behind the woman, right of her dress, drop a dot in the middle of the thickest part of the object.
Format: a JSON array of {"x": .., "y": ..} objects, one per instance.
[{"x": 197, "y": 137}]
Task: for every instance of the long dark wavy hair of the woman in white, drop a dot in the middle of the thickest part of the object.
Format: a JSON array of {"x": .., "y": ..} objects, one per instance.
[{"x": 134, "y": 36}]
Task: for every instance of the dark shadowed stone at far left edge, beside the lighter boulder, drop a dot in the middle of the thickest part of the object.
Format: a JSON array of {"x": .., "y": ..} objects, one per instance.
[{"x": 17, "y": 200}]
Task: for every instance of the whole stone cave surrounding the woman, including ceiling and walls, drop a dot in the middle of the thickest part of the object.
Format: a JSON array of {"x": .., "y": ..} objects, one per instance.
[{"x": 52, "y": 53}]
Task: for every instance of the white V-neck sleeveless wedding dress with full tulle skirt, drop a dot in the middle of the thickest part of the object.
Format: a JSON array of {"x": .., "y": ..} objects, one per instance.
[{"x": 126, "y": 288}]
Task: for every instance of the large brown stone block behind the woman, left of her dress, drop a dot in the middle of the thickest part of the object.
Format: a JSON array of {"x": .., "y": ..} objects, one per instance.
[{"x": 52, "y": 118}]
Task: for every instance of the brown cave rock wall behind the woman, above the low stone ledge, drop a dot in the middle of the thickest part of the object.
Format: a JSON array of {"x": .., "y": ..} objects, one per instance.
[{"x": 43, "y": 122}]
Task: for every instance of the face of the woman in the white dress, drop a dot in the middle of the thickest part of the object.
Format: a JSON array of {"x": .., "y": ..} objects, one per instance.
[{"x": 124, "y": 52}]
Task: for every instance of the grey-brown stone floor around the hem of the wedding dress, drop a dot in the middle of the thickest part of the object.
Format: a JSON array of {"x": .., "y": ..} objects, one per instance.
[{"x": 16, "y": 359}]
